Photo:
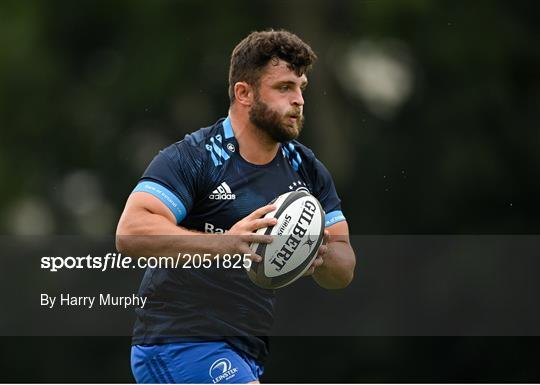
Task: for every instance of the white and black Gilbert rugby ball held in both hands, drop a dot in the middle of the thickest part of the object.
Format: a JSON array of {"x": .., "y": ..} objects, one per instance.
[{"x": 297, "y": 235}]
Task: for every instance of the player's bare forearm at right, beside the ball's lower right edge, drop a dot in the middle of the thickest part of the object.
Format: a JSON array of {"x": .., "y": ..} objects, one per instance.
[{"x": 337, "y": 271}]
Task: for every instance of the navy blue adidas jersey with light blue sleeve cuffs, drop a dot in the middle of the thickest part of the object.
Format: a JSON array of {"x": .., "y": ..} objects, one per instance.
[{"x": 209, "y": 187}]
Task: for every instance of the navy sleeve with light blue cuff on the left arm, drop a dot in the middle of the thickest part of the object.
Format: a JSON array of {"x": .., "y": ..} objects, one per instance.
[{"x": 173, "y": 177}]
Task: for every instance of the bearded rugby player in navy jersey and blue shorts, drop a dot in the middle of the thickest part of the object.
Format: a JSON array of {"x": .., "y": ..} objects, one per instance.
[{"x": 210, "y": 325}]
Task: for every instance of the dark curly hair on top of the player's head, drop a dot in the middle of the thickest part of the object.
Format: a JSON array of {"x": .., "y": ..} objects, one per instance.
[{"x": 251, "y": 55}]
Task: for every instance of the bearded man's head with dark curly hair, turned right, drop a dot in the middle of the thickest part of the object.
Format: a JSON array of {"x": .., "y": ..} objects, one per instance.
[{"x": 267, "y": 76}]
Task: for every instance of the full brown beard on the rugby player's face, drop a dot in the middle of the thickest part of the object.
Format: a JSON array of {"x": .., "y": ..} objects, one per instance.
[{"x": 274, "y": 124}]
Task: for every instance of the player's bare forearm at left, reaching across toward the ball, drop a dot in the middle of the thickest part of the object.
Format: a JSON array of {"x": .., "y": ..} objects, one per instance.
[{"x": 153, "y": 235}]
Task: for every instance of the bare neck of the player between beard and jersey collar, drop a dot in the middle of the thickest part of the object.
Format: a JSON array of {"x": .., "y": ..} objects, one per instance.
[{"x": 255, "y": 145}]
